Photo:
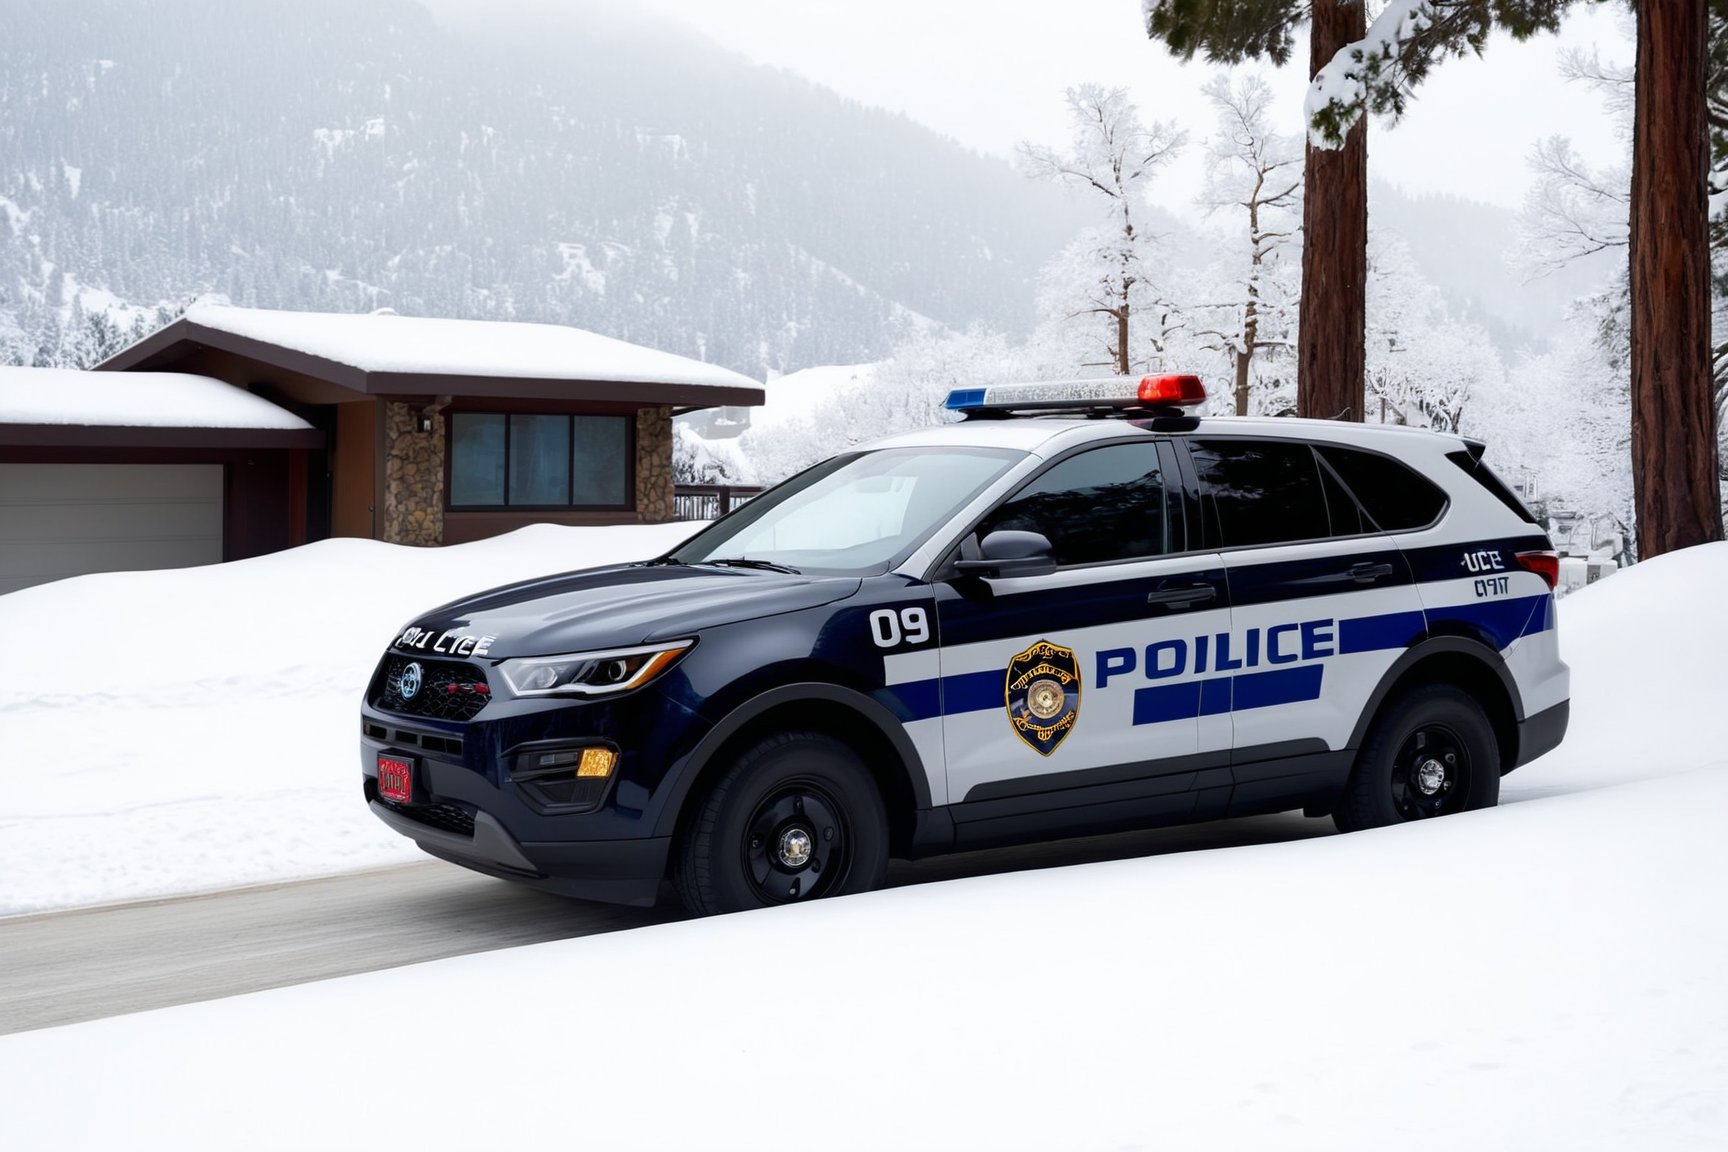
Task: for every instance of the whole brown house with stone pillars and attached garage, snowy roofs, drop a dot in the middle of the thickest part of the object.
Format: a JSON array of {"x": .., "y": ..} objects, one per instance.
[{"x": 386, "y": 427}]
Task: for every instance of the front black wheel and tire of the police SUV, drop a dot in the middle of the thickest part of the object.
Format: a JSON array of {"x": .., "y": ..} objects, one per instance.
[{"x": 796, "y": 818}]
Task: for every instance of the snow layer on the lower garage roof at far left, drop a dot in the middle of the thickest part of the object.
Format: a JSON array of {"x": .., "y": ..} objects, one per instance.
[{"x": 139, "y": 400}]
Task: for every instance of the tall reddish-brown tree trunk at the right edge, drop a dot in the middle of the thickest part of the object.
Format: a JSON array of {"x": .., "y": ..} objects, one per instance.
[{"x": 1674, "y": 419}]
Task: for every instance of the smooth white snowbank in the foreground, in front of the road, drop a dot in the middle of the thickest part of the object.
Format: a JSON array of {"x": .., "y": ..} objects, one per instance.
[{"x": 1539, "y": 977}]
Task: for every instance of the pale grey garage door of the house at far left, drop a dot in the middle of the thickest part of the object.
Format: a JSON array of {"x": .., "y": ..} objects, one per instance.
[{"x": 60, "y": 521}]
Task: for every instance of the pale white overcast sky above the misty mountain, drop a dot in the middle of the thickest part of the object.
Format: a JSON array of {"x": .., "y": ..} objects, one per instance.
[{"x": 993, "y": 73}]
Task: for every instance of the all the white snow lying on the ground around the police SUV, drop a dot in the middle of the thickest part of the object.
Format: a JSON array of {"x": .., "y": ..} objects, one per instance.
[{"x": 1546, "y": 975}]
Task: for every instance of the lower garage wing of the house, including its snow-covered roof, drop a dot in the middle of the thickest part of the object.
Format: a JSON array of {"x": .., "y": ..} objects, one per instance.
[{"x": 149, "y": 471}]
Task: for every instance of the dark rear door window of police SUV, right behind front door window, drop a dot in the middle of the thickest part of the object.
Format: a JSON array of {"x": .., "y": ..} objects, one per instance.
[{"x": 1266, "y": 491}]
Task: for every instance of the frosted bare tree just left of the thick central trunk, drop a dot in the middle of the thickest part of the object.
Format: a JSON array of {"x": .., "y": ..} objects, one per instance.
[{"x": 1259, "y": 172}]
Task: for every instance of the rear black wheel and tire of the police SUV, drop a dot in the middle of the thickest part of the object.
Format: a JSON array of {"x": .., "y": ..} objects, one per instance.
[{"x": 1430, "y": 754}]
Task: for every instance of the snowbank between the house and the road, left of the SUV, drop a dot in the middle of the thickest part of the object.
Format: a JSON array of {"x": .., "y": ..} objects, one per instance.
[{"x": 196, "y": 730}]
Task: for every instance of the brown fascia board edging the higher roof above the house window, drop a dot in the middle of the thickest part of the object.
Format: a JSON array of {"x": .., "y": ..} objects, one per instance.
[{"x": 158, "y": 350}]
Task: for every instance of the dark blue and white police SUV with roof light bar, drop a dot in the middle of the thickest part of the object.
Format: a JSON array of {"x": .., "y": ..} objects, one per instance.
[{"x": 1076, "y": 612}]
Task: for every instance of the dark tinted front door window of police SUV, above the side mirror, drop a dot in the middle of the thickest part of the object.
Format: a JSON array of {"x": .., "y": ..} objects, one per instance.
[{"x": 1107, "y": 503}]
